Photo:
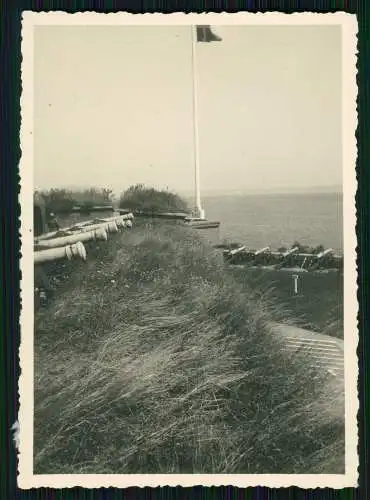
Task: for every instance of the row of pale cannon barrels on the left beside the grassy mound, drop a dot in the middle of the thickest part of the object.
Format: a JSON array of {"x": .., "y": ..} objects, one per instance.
[{"x": 68, "y": 242}]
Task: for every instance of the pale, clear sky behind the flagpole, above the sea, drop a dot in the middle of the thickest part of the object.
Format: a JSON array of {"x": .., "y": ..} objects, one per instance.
[{"x": 113, "y": 107}]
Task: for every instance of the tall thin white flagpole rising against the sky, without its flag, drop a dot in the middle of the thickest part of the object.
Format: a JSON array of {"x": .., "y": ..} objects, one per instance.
[{"x": 198, "y": 203}]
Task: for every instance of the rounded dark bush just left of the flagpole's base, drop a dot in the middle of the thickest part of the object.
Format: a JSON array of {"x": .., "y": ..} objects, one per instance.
[{"x": 141, "y": 198}]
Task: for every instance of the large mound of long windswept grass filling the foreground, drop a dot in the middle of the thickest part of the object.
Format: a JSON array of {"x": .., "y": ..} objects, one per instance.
[{"x": 152, "y": 359}]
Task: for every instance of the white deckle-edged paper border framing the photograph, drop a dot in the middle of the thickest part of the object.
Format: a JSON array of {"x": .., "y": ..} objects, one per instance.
[{"x": 26, "y": 478}]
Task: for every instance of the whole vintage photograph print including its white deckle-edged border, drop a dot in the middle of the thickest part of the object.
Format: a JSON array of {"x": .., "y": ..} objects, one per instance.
[{"x": 188, "y": 268}]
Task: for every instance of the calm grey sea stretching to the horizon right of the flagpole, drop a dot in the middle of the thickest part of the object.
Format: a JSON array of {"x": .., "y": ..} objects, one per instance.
[{"x": 278, "y": 220}]
